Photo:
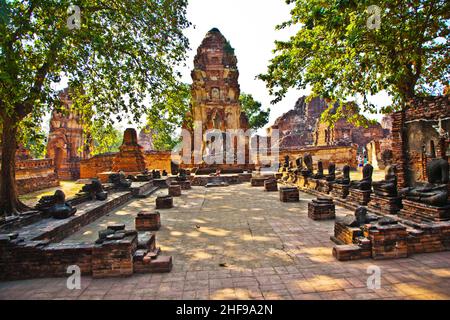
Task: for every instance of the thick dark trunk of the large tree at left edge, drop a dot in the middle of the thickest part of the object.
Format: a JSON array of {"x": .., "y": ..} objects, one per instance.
[{"x": 9, "y": 200}]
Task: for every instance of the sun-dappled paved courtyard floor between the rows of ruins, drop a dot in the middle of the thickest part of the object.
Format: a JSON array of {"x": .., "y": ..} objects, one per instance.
[{"x": 240, "y": 242}]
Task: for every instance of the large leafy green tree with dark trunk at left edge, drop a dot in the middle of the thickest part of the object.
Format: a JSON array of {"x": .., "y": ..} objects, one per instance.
[{"x": 114, "y": 54}]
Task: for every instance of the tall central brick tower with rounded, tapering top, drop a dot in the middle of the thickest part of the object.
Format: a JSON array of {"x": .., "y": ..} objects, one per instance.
[{"x": 216, "y": 110}]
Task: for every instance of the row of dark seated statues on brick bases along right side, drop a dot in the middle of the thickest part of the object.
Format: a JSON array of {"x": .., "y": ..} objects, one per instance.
[{"x": 427, "y": 201}]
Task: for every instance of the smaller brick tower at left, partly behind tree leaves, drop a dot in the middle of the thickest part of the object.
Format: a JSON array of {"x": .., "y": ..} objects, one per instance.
[{"x": 66, "y": 142}]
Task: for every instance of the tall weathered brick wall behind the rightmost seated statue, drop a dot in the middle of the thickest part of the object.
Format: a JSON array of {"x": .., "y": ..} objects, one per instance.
[{"x": 413, "y": 131}]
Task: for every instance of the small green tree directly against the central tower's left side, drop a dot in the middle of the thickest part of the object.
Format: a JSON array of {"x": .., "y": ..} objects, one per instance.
[{"x": 167, "y": 115}]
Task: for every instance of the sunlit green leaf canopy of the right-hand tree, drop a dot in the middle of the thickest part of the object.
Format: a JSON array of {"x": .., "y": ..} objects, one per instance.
[{"x": 347, "y": 48}]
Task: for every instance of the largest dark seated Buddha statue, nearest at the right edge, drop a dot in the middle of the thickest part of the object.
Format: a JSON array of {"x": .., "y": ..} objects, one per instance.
[{"x": 435, "y": 192}]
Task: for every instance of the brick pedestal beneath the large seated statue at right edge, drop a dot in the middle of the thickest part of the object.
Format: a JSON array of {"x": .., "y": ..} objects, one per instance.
[{"x": 421, "y": 212}]
